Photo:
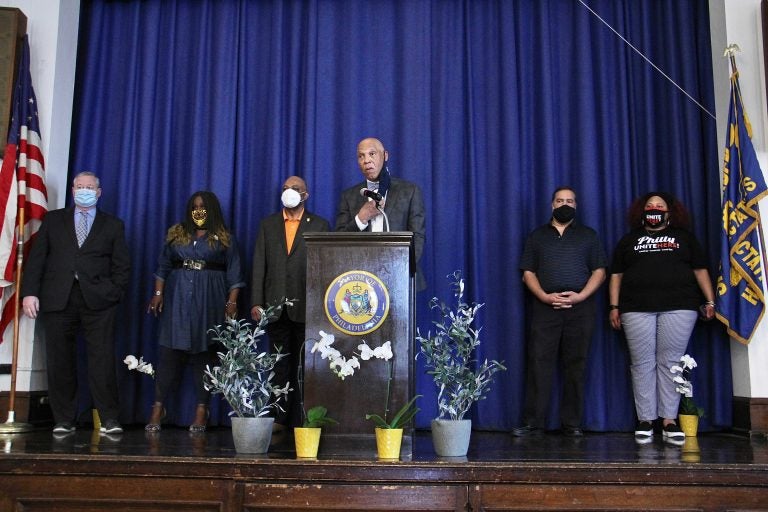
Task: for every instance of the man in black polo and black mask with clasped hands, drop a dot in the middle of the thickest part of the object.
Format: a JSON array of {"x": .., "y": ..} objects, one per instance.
[{"x": 563, "y": 265}]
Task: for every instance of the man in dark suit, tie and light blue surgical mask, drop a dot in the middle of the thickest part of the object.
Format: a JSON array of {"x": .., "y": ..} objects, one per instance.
[{"x": 76, "y": 274}]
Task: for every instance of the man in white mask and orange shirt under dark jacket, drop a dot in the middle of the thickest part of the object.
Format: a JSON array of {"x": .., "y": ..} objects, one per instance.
[{"x": 280, "y": 272}]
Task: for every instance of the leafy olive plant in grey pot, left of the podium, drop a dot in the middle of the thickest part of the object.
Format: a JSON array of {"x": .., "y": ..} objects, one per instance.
[{"x": 244, "y": 378}]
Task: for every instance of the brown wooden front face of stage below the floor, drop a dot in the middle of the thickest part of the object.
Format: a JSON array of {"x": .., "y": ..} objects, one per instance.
[{"x": 140, "y": 483}]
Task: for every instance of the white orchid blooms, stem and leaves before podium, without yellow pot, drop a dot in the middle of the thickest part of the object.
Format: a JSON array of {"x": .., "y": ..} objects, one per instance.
[{"x": 345, "y": 367}]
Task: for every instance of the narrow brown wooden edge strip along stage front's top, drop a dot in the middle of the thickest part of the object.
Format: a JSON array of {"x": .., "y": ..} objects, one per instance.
[{"x": 262, "y": 469}]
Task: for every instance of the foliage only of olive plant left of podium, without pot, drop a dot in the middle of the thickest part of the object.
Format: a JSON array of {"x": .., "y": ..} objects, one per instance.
[{"x": 244, "y": 376}]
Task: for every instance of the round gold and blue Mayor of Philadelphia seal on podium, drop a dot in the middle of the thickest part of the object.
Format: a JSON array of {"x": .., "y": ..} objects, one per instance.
[{"x": 357, "y": 302}]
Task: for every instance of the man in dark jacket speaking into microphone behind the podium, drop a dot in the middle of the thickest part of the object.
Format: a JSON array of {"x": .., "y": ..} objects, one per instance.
[{"x": 400, "y": 200}]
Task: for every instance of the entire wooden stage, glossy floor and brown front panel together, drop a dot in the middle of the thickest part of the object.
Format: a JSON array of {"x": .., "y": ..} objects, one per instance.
[{"x": 177, "y": 470}]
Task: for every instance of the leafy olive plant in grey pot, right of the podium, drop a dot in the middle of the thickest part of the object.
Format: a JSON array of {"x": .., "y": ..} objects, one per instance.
[{"x": 461, "y": 379}]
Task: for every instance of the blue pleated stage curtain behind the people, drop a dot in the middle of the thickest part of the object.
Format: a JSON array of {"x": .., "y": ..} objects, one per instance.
[{"x": 487, "y": 105}]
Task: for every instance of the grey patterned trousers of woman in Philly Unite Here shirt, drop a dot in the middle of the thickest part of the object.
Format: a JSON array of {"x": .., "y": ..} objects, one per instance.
[{"x": 656, "y": 342}]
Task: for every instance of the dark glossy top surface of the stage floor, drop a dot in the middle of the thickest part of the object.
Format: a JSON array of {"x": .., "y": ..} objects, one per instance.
[{"x": 485, "y": 447}]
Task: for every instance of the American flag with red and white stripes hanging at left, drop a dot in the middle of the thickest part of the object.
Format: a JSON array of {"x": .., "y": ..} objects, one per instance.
[{"x": 22, "y": 186}]
